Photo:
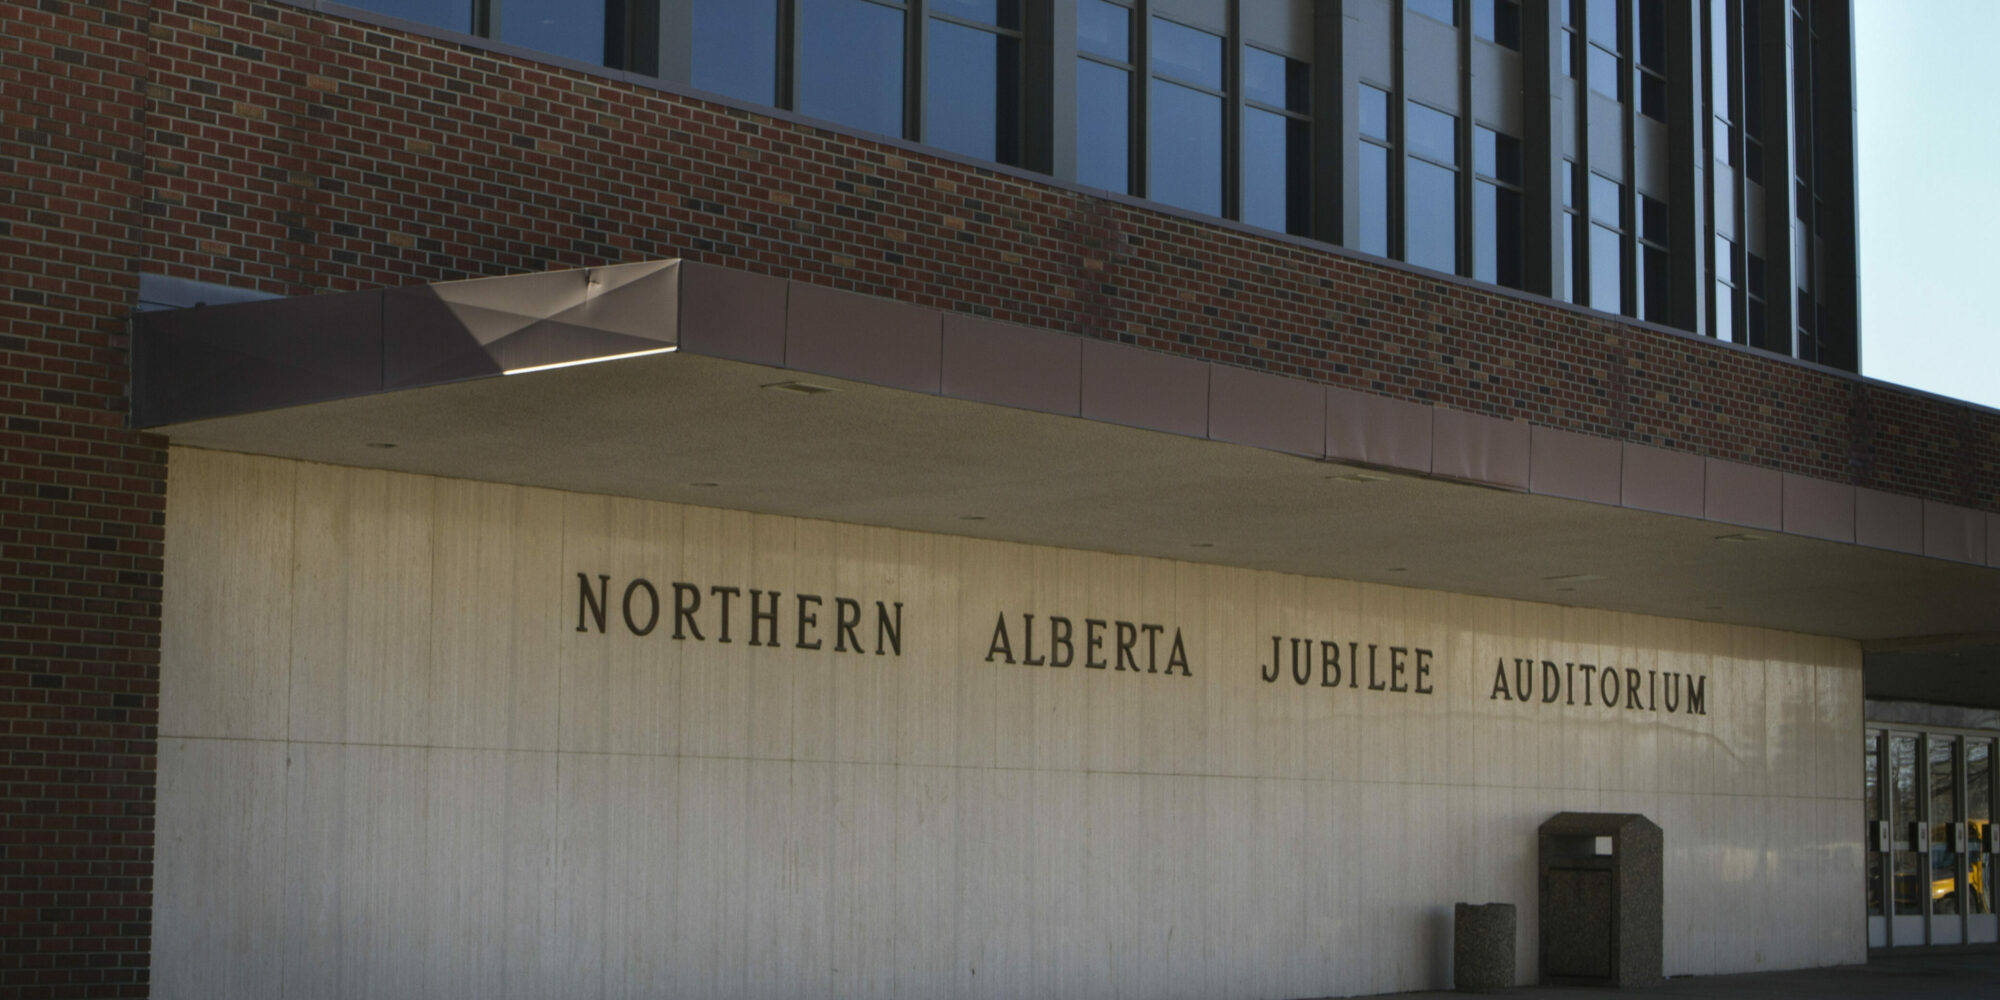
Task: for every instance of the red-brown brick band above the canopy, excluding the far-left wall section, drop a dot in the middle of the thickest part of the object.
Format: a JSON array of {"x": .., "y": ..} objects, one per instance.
[{"x": 301, "y": 155}]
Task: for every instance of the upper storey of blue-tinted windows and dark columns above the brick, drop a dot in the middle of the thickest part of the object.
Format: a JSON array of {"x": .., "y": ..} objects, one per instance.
[{"x": 1679, "y": 163}]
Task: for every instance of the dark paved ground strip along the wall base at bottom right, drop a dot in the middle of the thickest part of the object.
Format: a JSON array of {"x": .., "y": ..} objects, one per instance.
[{"x": 1945, "y": 977}]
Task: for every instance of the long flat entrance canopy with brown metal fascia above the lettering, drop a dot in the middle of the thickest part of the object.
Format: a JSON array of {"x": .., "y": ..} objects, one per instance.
[{"x": 707, "y": 387}]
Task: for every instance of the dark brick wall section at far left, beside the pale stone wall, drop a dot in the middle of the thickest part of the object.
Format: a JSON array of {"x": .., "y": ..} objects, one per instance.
[{"x": 81, "y": 503}]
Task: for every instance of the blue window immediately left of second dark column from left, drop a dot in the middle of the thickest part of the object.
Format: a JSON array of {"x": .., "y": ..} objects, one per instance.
[{"x": 973, "y": 91}]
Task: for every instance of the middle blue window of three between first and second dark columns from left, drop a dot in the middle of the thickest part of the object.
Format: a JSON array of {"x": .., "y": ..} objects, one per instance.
[{"x": 851, "y": 63}]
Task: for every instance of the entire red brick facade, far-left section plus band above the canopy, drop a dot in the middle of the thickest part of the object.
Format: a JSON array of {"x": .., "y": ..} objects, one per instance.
[{"x": 271, "y": 147}]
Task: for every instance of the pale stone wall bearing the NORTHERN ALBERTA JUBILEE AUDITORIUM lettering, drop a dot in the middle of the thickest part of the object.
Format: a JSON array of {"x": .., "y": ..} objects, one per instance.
[{"x": 401, "y": 759}]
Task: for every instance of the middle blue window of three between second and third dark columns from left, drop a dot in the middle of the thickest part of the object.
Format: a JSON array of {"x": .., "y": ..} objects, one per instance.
[{"x": 1185, "y": 119}]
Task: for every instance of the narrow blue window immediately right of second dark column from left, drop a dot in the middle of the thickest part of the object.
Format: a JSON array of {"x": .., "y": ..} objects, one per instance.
[{"x": 1105, "y": 97}]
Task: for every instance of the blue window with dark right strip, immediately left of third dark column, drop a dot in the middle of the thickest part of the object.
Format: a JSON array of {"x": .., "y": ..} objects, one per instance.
[{"x": 1277, "y": 143}]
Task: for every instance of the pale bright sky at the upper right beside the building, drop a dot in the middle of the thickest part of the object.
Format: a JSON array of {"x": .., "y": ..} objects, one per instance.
[{"x": 1927, "y": 77}]
